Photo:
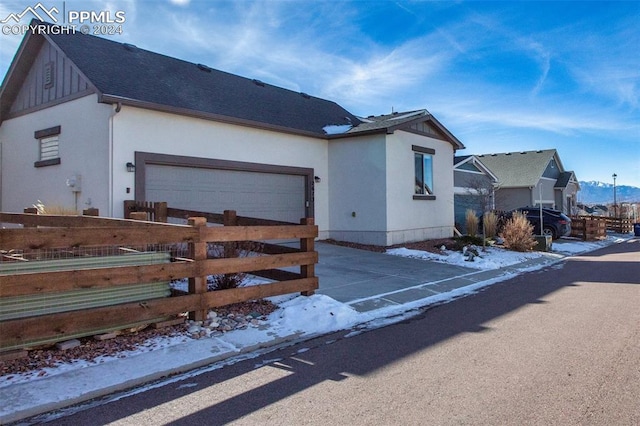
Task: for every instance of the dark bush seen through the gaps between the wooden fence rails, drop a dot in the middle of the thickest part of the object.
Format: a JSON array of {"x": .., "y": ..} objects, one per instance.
[{"x": 231, "y": 250}]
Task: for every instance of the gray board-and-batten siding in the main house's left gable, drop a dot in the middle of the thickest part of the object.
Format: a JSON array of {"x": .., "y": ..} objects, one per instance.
[{"x": 52, "y": 78}]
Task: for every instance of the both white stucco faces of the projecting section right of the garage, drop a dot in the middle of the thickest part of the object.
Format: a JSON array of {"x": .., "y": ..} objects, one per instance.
[{"x": 373, "y": 177}]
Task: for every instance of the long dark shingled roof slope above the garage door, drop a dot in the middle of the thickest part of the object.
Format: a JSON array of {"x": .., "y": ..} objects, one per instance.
[{"x": 124, "y": 71}]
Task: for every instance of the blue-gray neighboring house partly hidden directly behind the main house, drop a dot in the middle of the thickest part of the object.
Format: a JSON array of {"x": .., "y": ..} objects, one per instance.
[{"x": 474, "y": 188}]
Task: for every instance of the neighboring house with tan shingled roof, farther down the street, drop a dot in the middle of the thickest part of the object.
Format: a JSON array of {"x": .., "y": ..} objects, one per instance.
[{"x": 530, "y": 178}]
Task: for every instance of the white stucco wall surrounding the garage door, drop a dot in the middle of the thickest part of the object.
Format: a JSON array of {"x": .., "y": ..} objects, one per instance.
[{"x": 136, "y": 129}]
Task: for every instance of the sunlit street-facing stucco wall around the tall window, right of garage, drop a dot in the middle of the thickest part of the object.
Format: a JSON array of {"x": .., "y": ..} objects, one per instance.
[{"x": 415, "y": 220}]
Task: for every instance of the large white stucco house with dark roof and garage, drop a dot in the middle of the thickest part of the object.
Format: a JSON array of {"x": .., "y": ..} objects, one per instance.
[{"x": 89, "y": 122}]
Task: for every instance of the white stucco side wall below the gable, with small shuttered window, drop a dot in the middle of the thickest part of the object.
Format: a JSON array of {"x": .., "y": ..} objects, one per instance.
[{"x": 83, "y": 150}]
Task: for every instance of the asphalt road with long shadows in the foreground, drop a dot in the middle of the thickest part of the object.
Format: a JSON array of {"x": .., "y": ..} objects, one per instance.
[{"x": 559, "y": 346}]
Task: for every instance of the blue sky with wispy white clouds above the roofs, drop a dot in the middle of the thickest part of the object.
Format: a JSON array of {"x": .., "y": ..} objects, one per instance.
[{"x": 501, "y": 76}]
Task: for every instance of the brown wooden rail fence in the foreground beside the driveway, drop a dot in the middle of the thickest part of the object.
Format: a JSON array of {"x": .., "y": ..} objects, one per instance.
[{"x": 73, "y": 233}]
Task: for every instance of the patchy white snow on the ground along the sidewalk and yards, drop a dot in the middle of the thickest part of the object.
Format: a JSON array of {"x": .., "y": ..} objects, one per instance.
[{"x": 305, "y": 316}]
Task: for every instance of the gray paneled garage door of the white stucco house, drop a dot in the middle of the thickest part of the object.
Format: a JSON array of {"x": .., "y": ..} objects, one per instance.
[{"x": 254, "y": 194}]
